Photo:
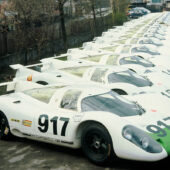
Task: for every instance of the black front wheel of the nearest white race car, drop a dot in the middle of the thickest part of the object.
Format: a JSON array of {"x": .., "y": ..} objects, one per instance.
[{"x": 97, "y": 144}]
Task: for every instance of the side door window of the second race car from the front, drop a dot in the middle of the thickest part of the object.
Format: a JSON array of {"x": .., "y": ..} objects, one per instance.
[{"x": 99, "y": 75}]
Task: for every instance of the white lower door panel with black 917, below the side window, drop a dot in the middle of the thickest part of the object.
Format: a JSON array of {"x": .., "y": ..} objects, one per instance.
[{"x": 55, "y": 126}]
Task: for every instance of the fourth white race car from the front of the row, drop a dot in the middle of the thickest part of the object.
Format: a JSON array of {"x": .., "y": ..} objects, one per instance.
[{"x": 146, "y": 51}]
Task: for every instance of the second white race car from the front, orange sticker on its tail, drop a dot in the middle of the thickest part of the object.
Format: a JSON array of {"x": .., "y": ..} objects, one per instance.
[{"x": 124, "y": 81}]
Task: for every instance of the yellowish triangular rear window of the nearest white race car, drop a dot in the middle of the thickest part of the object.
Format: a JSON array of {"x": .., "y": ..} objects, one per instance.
[{"x": 42, "y": 94}]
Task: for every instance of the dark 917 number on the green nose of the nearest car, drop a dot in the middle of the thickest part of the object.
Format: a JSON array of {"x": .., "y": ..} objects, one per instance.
[{"x": 156, "y": 129}]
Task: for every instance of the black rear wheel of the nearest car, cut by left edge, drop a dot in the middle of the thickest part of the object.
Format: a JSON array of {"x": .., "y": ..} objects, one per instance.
[{"x": 5, "y": 133}]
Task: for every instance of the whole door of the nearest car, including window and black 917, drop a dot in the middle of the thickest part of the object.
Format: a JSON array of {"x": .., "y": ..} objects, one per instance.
[{"x": 58, "y": 124}]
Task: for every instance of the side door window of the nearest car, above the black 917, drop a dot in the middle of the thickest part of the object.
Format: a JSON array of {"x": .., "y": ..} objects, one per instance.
[{"x": 70, "y": 99}]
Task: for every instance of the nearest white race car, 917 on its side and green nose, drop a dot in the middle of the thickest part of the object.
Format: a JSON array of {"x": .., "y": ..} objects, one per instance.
[{"x": 97, "y": 120}]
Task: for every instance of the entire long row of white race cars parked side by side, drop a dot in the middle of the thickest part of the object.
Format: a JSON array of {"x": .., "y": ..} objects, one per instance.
[{"x": 110, "y": 97}]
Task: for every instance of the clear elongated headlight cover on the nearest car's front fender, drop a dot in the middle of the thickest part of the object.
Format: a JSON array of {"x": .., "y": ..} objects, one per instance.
[{"x": 141, "y": 139}]
